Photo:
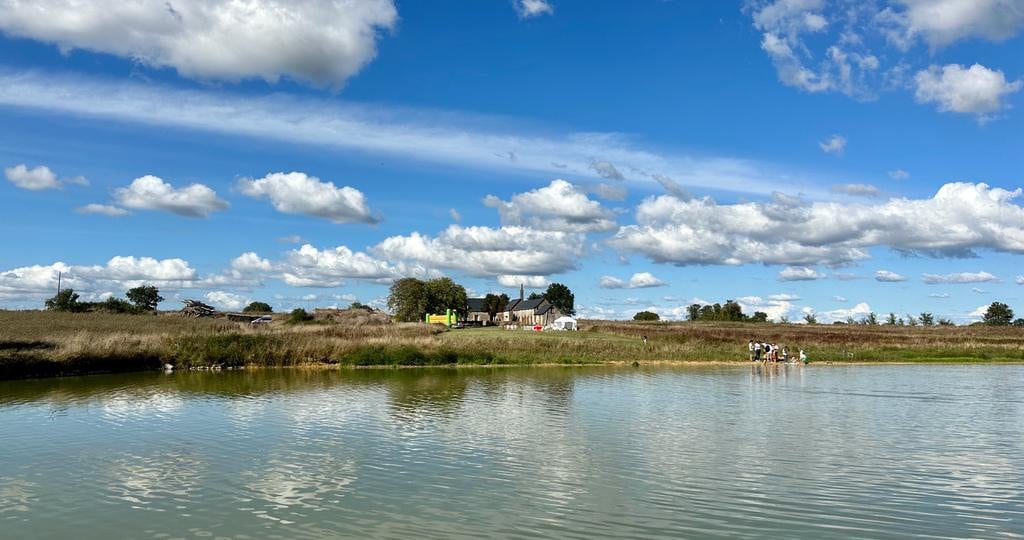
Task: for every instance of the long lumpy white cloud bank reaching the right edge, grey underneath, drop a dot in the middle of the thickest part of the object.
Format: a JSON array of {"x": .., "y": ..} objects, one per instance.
[{"x": 960, "y": 220}]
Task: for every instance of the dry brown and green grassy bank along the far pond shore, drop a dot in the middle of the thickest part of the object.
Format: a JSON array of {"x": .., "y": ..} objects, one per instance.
[{"x": 41, "y": 344}]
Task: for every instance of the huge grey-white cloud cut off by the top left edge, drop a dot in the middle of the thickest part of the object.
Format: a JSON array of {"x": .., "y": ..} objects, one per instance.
[{"x": 324, "y": 43}]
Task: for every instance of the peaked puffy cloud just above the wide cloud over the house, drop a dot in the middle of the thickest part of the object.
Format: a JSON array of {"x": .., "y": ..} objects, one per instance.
[{"x": 560, "y": 206}]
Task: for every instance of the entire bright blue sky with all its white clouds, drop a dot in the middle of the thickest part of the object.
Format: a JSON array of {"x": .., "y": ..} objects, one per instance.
[{"x": 803, "y": 156}]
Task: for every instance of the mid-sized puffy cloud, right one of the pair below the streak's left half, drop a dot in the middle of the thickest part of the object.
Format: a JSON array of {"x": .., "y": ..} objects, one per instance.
[{"x": 297, "y": 193}]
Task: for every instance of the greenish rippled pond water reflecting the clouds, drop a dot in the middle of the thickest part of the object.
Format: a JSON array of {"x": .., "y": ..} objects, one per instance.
[{"x": 813, "y": 452}]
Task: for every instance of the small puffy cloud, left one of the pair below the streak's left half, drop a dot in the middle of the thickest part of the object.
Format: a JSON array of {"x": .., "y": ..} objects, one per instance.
[{"x": 152, "y": 193}]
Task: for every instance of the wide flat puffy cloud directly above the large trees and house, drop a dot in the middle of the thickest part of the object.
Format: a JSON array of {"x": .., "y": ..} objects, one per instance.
[{"x": 483, "y": 252}]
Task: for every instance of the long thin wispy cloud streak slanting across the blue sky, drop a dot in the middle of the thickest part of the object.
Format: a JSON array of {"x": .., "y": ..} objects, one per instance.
[{"x": 445, "y": 138}]
